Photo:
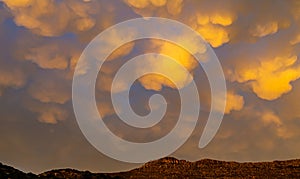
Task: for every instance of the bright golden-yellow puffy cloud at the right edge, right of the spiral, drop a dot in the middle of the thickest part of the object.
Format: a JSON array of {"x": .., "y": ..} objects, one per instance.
[{"x": 270, "y": 78}]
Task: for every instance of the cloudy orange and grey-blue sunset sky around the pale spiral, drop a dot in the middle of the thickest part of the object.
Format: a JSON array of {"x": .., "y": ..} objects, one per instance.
[{"x": 256, "y": 42}]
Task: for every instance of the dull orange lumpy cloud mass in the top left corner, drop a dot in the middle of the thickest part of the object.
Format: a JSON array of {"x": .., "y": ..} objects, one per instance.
[{"x": 52, "y": 18}]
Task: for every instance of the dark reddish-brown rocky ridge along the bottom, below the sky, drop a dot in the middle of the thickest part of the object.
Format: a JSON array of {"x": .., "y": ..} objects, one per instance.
[{"x": 173, "y": 168}]
